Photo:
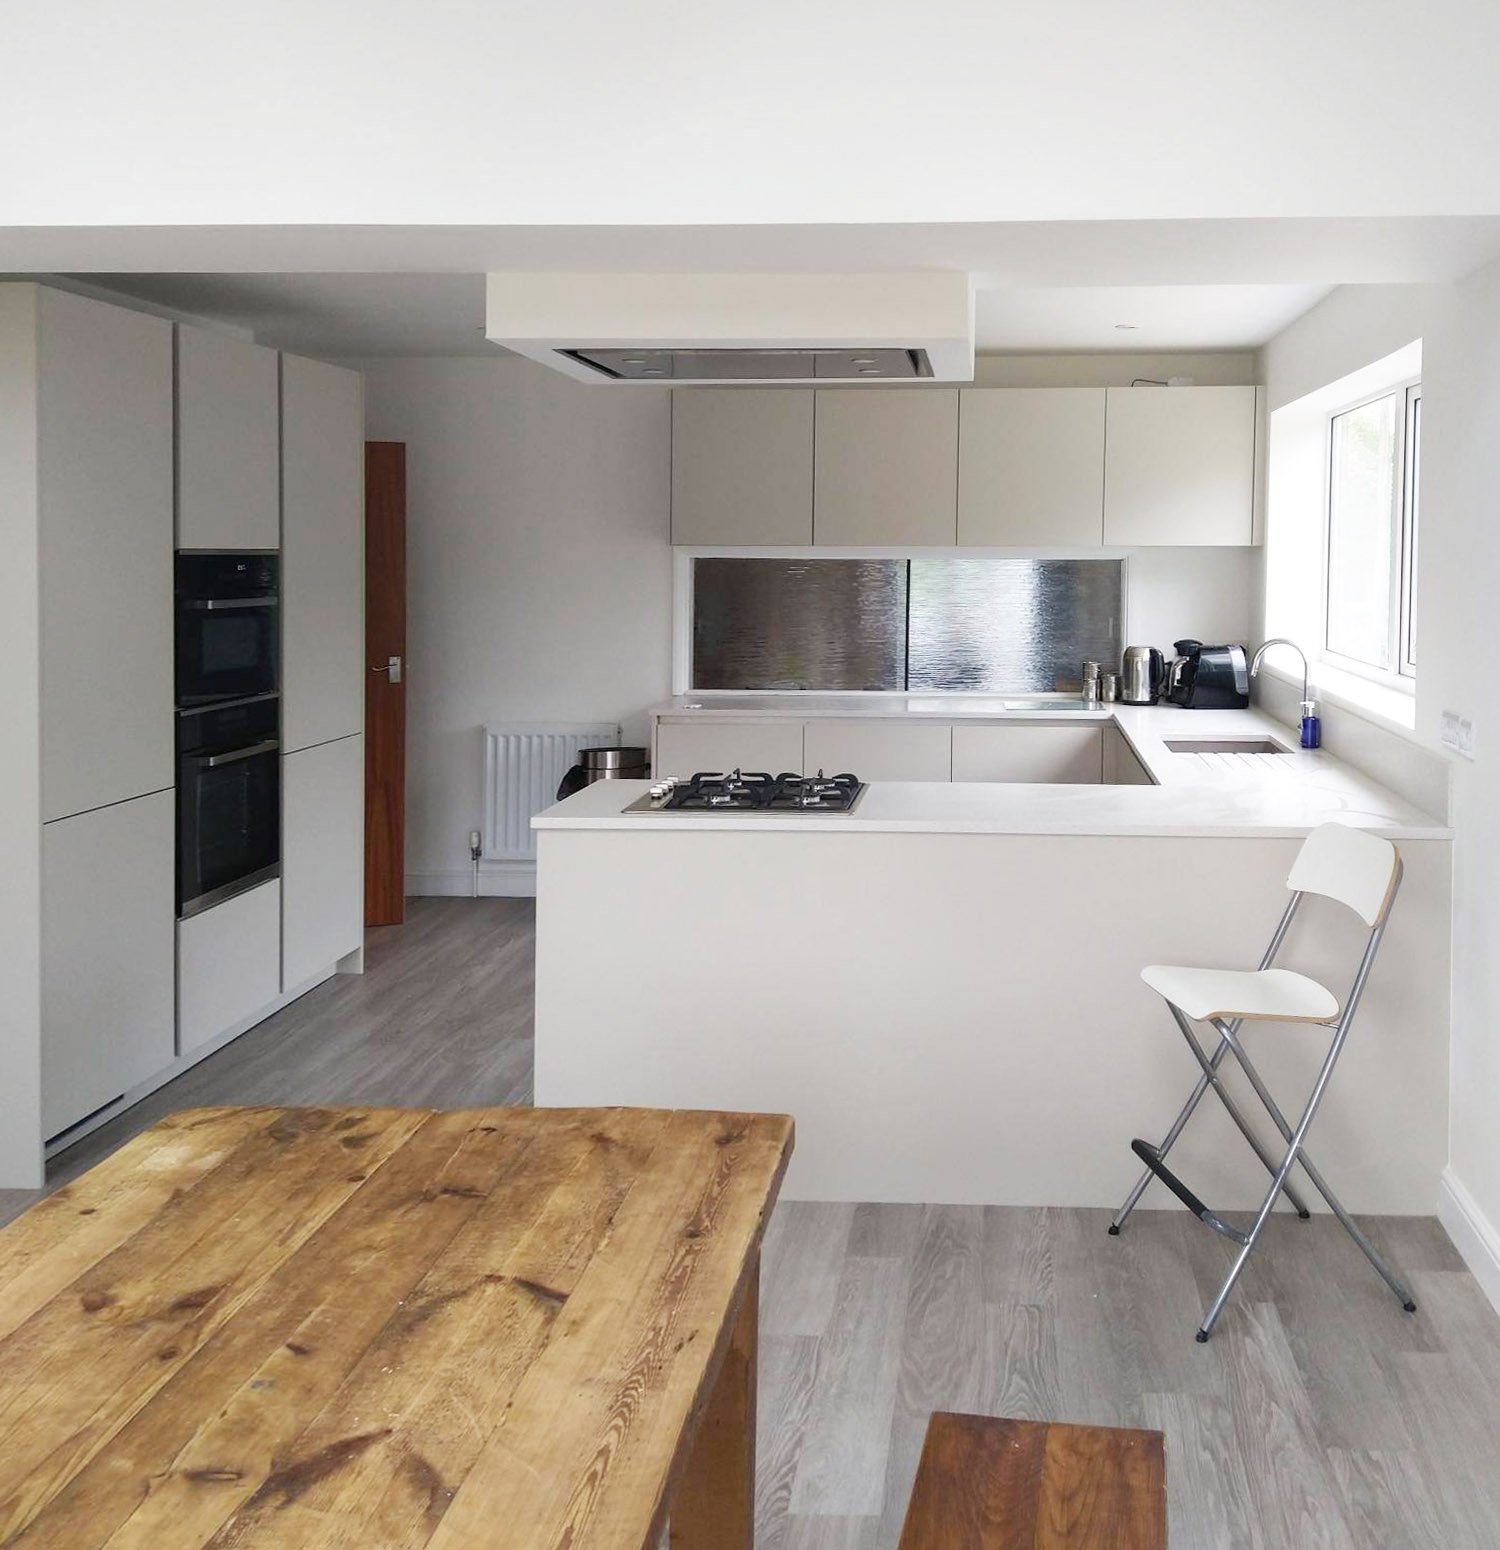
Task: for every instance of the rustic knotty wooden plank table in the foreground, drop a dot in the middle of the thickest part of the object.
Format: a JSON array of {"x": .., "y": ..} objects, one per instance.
[{"x": 388, "y": 1329}]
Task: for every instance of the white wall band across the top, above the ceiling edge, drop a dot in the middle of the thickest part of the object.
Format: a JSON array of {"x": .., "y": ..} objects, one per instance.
[{"x": 779, "y": 112}]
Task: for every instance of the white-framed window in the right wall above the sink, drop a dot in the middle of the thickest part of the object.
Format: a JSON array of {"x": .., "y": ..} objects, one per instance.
[{"x": 1371, "y": 580}]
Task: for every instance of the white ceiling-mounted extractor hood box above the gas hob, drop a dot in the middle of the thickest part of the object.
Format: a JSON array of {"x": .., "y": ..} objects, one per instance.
[{"x": 728, "y": 329}]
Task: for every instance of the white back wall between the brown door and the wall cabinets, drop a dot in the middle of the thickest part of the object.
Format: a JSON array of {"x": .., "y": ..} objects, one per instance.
[{"x": 538, "y": 570}]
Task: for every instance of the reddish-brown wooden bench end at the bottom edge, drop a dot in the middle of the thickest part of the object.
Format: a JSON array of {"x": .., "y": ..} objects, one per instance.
[{"x": 988, "y": 1484}]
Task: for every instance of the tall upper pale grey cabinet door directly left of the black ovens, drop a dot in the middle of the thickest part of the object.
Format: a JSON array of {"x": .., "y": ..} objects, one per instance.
[{"x": 105, "y": 469}]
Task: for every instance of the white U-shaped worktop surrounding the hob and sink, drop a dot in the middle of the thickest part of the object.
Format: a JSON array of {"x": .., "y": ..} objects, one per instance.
[{"x": 1196, "y": 794}]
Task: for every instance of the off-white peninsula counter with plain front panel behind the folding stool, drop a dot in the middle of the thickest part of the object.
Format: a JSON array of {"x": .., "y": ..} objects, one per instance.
[{"x": 943, "y": 985}]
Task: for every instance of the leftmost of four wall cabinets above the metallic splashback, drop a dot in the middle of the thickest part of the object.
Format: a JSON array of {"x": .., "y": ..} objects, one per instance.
[{"x": 743, "y": 466}]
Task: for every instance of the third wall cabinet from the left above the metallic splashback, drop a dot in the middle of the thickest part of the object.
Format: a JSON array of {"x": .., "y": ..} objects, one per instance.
[{"x": 1031, "y": 466}]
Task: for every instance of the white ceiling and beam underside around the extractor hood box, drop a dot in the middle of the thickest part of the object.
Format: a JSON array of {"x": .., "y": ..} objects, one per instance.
[{"x": 1041, "y": 286}]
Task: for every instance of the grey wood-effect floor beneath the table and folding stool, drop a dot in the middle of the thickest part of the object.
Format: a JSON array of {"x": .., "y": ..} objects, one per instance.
[{"x": 1318, "y": 1419}]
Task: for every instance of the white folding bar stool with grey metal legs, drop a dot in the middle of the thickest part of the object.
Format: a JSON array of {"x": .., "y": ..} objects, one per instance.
[{"x": 1358, "y": 870}]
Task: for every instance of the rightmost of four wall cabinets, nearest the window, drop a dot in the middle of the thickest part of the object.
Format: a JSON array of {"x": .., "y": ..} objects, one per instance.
[{"x": 1180, "y": 466}]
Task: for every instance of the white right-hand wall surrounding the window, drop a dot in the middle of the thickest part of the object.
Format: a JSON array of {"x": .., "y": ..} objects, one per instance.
[{"x": 1459, "y": 580}]
